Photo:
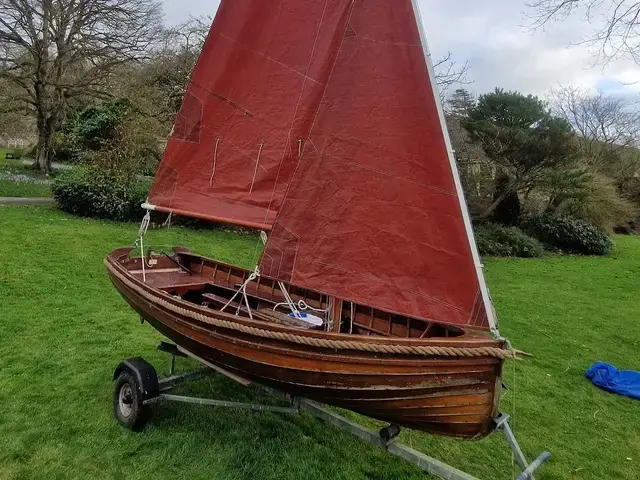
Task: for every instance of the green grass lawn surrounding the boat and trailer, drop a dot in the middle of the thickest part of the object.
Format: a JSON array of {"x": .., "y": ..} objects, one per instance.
[{"x": 63, "y": 329}]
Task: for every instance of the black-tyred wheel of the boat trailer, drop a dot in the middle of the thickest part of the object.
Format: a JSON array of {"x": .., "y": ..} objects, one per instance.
[{"x": 128, "y": 407}]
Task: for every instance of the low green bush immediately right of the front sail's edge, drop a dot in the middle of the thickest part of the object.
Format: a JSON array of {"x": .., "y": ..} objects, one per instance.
[{"x": 499, "y": 241}]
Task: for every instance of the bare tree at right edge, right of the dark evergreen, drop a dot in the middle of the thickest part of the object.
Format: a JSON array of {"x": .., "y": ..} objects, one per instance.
[{"x": 607, "y": 125}]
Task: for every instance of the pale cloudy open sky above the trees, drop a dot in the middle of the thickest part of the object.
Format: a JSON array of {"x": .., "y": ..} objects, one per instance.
[{"x": 492, "y": 36}]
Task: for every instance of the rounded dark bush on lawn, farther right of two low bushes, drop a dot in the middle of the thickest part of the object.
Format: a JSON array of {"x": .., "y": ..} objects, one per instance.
[{"x": 568, "y": 234}]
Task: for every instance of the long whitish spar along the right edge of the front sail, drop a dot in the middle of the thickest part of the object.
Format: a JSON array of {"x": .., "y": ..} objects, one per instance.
[{"x": 456, "y": 175}]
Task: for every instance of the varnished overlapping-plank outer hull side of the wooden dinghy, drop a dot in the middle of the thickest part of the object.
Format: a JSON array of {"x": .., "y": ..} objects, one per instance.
[{"x": 449, "y": 396}]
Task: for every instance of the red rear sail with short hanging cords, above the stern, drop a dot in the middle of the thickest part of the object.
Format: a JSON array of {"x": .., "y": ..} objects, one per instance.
[{"x": 248, "y": 108}]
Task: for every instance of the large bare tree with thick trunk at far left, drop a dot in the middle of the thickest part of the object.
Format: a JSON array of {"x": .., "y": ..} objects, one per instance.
[{"x": 59, "y": 50}]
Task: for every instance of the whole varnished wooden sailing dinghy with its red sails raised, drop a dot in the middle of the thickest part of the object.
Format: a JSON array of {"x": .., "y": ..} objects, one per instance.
[{"x": 317, "y": 121}]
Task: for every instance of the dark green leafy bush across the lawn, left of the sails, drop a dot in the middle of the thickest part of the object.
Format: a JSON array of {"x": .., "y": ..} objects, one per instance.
[{"x": 88, "y": 192}]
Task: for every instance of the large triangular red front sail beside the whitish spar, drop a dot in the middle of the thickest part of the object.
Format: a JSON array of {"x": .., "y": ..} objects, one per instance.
[{"x": 373, "y": 213}]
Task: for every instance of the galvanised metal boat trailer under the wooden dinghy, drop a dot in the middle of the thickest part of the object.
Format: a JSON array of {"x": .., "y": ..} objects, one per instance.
[{"x": 137, "y": 386}]
